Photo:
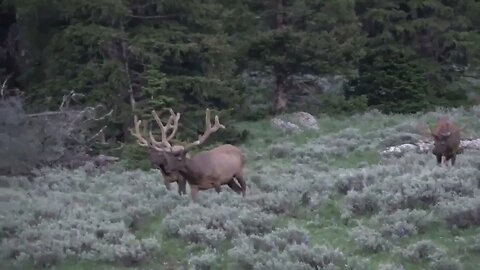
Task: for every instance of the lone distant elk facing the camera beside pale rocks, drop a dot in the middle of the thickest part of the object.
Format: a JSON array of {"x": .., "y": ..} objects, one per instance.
[{"x": 446, "y": 138}]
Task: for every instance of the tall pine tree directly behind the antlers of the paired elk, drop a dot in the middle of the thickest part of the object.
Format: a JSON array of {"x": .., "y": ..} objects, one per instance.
[{"x": 190, "y": 51}]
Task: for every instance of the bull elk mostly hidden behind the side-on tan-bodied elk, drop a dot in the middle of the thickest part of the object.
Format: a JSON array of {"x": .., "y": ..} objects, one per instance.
[{"x": 156, "y": 148}]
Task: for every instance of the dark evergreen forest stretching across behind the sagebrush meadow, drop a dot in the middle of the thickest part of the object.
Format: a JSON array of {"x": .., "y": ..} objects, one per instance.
[{"x": 247, "y": 58}]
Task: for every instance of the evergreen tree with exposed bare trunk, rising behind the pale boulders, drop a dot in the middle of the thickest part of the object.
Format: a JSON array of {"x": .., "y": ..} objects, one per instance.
[{"x": 296, "y": 37}]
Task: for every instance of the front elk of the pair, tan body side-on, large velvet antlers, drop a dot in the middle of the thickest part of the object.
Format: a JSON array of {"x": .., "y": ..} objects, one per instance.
[{"x": 219, "y": 166}]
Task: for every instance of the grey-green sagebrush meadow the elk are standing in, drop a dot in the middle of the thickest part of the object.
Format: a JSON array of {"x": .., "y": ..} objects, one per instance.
[{"x": 318, "y": 200}]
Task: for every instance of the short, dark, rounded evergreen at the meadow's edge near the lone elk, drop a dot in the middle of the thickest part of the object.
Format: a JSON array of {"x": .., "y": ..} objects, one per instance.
[{"x": 392, "y": 82}]
